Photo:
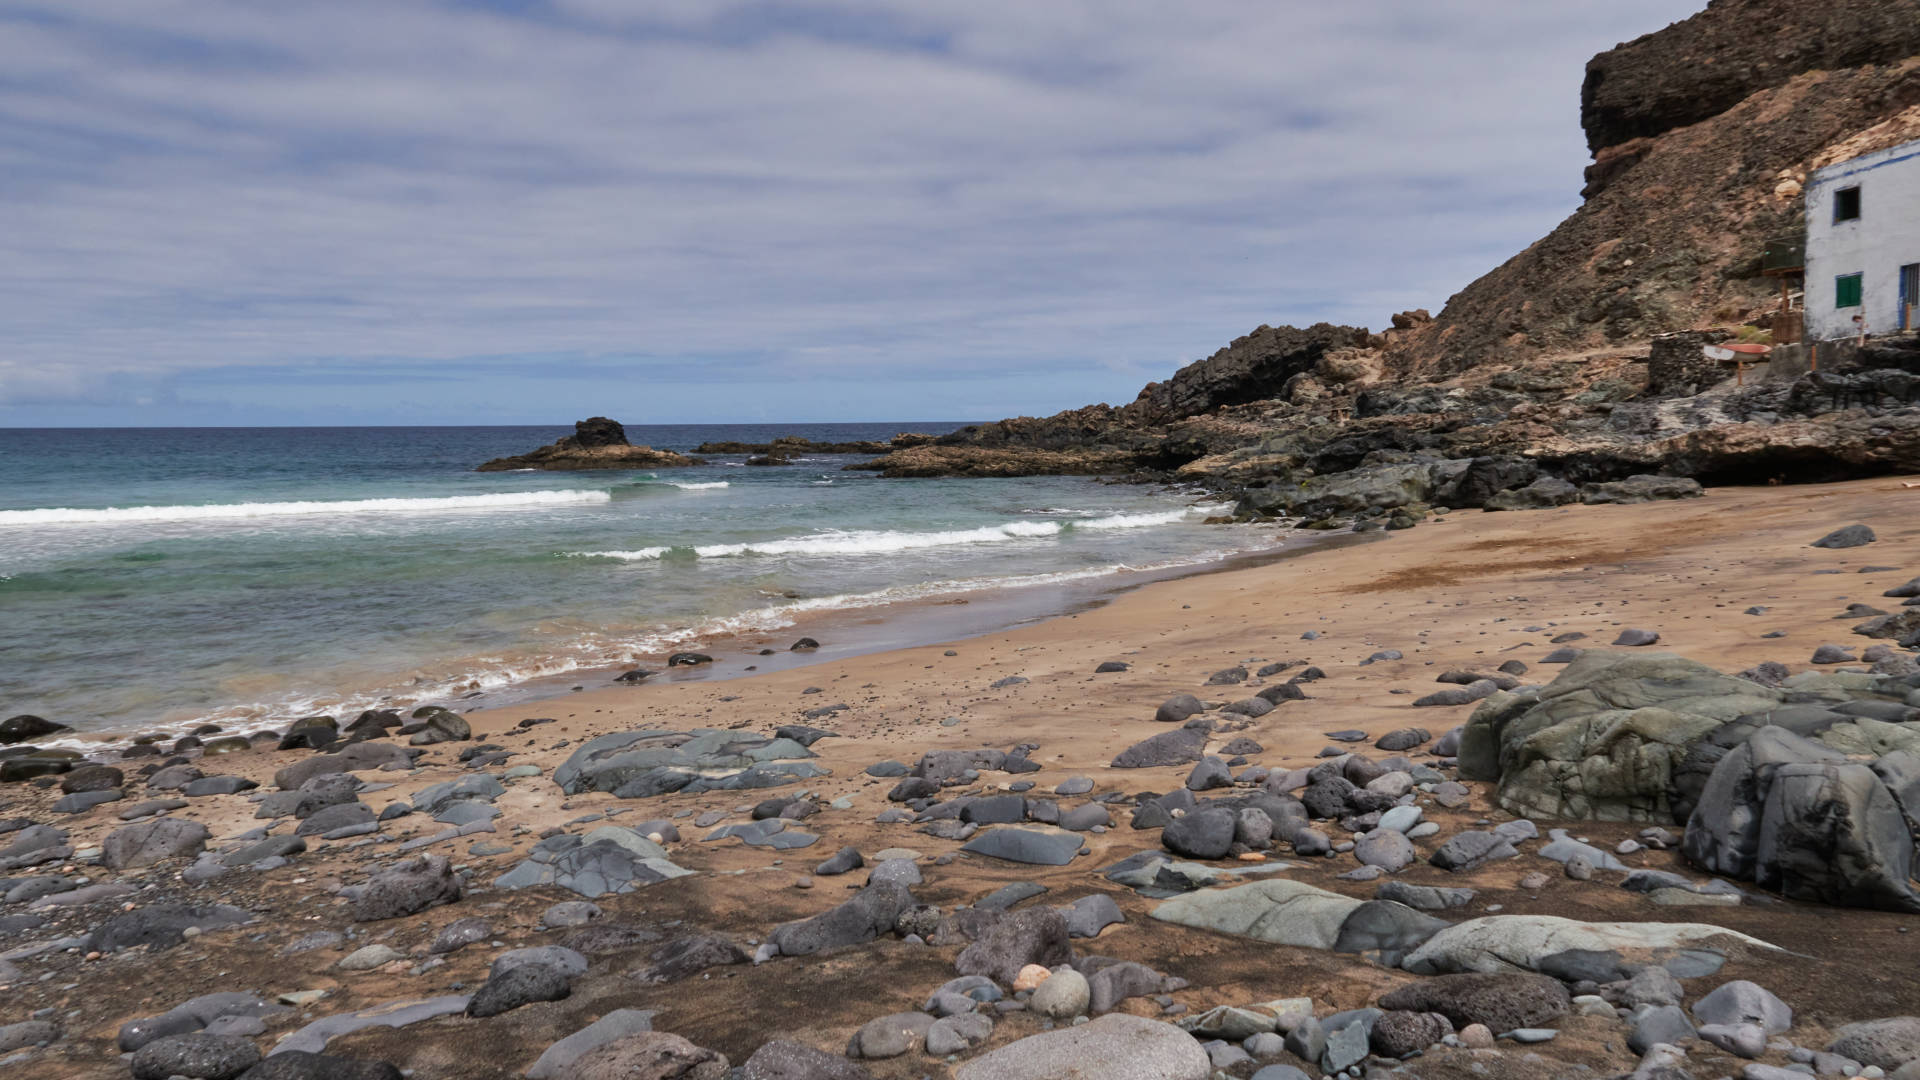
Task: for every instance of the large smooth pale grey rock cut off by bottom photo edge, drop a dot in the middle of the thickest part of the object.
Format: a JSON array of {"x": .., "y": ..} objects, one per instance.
[{"x": 1113, "y": 1048}]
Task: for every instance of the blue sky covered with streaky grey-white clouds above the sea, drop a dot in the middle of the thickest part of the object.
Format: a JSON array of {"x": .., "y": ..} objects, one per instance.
[{"x": 435, "y": 212}]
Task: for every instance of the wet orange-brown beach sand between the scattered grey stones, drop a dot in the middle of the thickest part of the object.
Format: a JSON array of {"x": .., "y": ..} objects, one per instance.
[{"x": 1466, "y": 591}]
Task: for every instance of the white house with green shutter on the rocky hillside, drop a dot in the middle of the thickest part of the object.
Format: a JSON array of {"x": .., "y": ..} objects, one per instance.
[{"x": 1863, "y": 245}]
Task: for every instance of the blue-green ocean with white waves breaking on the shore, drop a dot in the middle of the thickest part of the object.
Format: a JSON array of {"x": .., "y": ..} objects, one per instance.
[{"x": 156, "y": 579}]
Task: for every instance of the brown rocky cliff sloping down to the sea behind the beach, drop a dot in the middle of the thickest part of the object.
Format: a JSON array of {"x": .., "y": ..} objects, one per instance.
[{"x": 1533, "y": 381}]
